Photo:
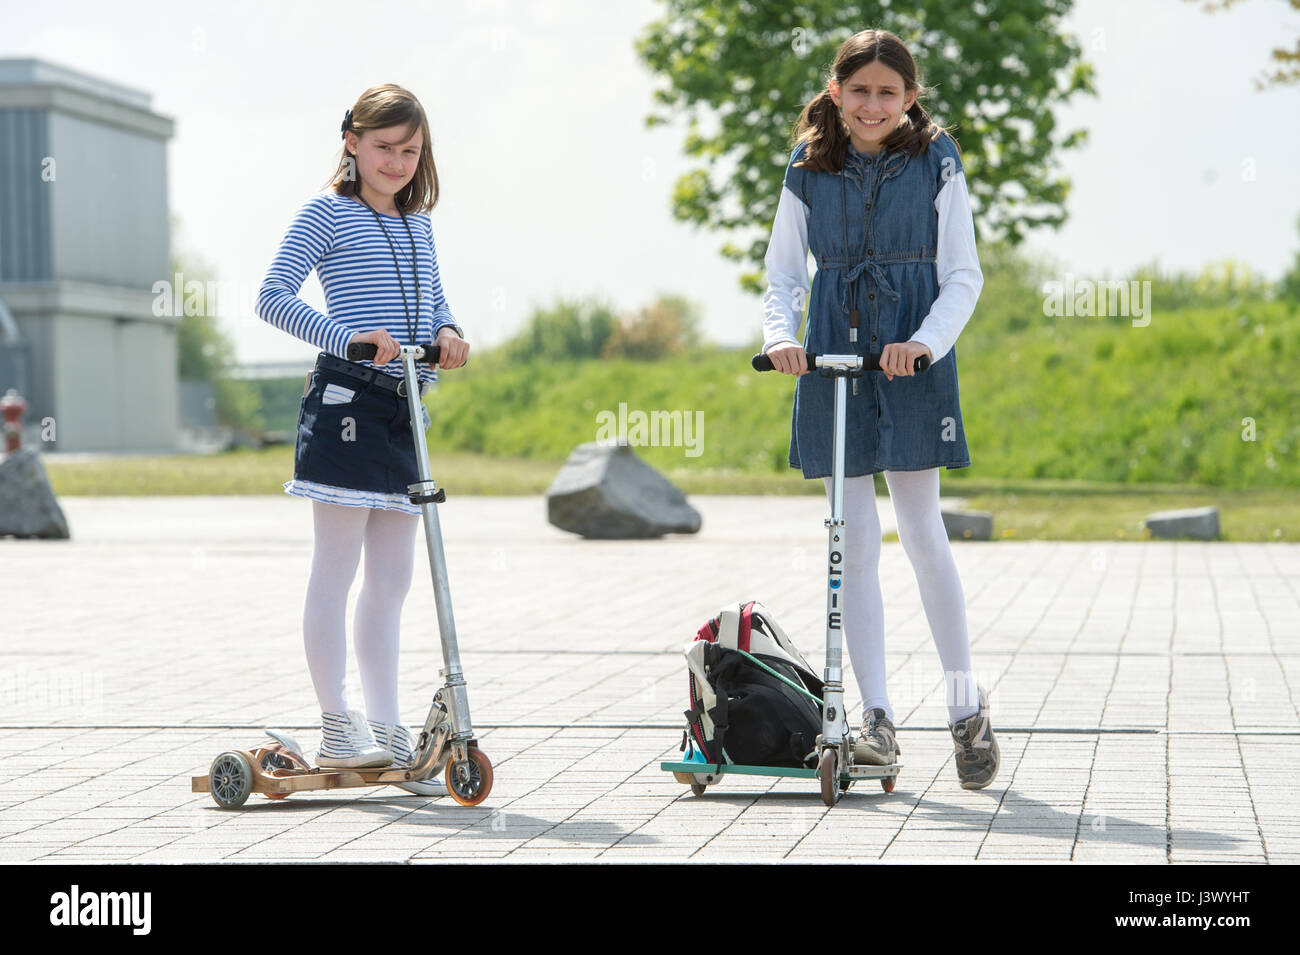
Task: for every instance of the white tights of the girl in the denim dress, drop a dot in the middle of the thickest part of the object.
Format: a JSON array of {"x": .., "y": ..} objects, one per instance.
[{"x": 921, "y": 529}]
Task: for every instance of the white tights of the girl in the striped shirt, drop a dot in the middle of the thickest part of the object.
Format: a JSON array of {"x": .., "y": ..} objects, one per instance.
[{"x": 389, "y": 539}]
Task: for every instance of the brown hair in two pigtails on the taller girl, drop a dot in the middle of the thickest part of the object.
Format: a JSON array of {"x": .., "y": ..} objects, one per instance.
[{"x": 825, "y": 132}]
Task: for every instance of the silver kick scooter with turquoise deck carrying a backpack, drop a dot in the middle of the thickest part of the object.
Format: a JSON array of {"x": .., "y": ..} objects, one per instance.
[{"x": 835, "y": 767}]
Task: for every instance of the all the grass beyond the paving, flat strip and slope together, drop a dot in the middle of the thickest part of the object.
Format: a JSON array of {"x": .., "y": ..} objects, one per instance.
[{"x": 1078, "y": 427}]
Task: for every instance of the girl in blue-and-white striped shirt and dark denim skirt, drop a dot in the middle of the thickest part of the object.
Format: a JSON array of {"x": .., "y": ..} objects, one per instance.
[{"x": 371, "y": 242}]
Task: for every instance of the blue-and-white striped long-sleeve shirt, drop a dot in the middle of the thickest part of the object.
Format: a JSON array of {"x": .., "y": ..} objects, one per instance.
[{"x": 339, "y": 237}]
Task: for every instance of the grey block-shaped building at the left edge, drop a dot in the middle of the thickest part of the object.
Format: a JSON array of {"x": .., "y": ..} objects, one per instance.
[{"x": 84, "y": 238}]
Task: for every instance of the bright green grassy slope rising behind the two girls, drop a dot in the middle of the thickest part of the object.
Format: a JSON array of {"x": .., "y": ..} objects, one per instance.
[{"x": 1199, "y": 397}]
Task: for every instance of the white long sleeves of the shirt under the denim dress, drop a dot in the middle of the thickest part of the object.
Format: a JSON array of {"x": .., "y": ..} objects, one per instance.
[{"x": 956, "y": 263}]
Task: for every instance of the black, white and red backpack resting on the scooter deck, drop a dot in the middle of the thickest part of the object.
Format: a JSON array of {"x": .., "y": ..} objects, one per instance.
[{"x": 755, "y": 700}]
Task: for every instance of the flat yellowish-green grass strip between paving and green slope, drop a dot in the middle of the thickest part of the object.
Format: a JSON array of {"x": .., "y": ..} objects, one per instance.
[{"x": 1024, "y": 510}]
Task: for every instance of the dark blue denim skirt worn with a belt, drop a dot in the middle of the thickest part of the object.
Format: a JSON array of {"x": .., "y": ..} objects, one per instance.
[{"x": 353, "y": 432}]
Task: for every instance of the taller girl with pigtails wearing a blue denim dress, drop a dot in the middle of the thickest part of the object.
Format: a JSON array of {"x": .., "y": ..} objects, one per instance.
[{"x": 878, "y": 193}]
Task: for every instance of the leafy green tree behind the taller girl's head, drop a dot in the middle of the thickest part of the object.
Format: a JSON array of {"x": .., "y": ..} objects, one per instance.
[{"x": 742, "y": 72}]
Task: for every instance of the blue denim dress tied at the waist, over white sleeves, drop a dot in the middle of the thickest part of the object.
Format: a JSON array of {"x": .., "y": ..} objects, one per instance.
[{"x": 873, "y": 229}]
